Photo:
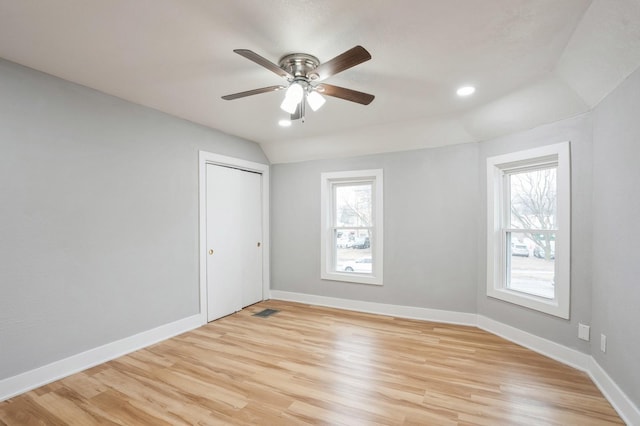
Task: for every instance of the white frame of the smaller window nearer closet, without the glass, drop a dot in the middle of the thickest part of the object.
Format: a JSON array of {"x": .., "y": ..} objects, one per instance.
[{"x": 327, "y": 249}]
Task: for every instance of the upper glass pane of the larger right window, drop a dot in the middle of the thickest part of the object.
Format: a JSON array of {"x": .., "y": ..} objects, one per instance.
[{"x": 533, "y": 199}]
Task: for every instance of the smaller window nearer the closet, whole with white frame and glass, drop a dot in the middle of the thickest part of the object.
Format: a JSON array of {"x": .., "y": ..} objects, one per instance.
[{"x": 351, "y": 242}]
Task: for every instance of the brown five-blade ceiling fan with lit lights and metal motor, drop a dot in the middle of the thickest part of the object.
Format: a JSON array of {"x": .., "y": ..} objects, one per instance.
[{"x": 304, "y": 74}]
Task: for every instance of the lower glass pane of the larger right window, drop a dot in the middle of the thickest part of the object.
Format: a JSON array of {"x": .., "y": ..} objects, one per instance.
[{"x": 531, "y": 263}]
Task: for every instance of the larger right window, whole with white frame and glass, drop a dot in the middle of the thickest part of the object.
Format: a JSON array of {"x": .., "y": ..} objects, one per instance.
[{"x": 528, "y": 230}]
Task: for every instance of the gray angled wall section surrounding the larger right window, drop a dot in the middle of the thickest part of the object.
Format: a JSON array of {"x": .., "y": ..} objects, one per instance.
[{"x": 578, "y": 131}]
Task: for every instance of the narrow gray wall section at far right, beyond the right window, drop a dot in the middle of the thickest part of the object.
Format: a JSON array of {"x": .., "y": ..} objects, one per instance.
[{"x": 616, "y": 235}]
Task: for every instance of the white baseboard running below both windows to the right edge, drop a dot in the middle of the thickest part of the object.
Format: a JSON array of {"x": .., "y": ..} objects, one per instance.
[{"x": 576, "y": 359}]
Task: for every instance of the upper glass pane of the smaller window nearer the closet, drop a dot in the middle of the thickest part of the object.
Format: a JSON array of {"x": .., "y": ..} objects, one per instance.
[{"x": 353, "y": 205}]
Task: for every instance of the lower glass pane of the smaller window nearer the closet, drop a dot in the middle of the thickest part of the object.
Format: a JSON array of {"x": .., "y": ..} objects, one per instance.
[{"x": 353, "y": 251}]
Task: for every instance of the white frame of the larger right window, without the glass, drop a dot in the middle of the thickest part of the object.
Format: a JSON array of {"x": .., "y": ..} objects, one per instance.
[{"x": 496, "y": 209}]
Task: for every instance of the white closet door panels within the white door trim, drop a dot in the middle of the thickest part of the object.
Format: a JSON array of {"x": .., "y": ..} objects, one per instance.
[{"x": 234, "y": 246}]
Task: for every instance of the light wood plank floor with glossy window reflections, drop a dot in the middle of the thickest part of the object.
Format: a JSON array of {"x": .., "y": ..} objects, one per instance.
[{"x": 313, "y": 365}]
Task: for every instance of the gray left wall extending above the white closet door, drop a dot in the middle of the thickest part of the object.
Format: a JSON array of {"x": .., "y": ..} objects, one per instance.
[{"x": 98, "y": 217}]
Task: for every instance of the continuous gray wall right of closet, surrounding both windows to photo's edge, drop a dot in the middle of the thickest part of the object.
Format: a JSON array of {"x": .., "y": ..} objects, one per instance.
[{"x": 435, "y": 231}]
